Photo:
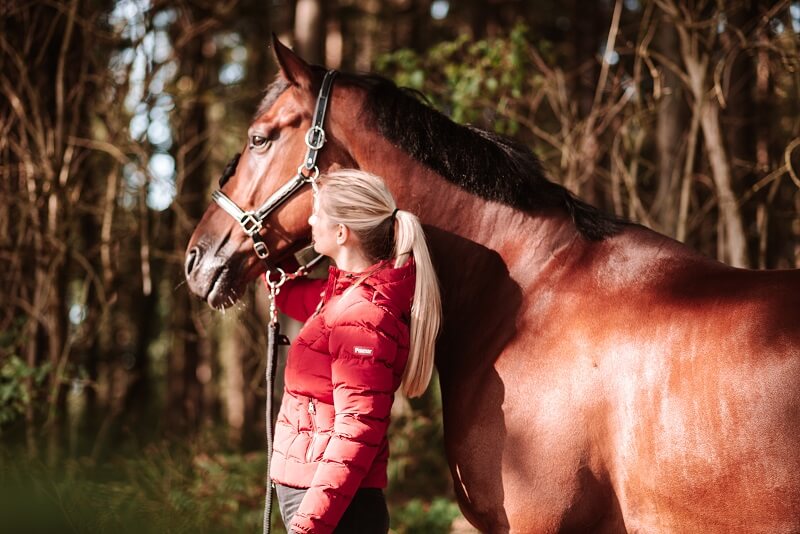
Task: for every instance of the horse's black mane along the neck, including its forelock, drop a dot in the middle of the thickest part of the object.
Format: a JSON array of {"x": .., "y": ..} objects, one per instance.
[{"x": 486, "y": 164}]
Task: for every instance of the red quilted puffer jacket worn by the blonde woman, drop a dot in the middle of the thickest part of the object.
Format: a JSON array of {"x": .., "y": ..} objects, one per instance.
[{"x": 341, "y": 375}]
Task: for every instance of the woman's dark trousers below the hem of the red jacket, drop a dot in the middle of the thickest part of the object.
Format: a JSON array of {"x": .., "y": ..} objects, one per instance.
[{"x": 367, "y": 513}]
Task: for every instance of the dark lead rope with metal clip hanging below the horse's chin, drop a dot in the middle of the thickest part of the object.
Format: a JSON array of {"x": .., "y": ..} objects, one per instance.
[{"x": 274, "y": 340}]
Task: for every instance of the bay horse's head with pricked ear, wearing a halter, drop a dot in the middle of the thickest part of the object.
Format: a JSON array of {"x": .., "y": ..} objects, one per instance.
[{"x": 220, "y": 258}]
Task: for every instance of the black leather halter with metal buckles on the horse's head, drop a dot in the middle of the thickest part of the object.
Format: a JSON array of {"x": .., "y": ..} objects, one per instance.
[{"x": 307, "y": 173}]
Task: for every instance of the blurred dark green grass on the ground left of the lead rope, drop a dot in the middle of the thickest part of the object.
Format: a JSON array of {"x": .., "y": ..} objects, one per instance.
[{"x": 162, "y": 489}]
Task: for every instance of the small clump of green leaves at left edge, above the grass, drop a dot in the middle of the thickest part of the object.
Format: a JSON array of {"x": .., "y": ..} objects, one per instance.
[{"x": 15, "y": 396}]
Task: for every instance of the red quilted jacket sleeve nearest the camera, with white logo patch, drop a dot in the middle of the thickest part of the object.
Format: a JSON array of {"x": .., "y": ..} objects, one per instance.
[{"x": 363, "y": 387}]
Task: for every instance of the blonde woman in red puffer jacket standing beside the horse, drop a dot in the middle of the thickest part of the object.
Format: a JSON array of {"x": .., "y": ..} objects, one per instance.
[{"x": 369, "y": 329}]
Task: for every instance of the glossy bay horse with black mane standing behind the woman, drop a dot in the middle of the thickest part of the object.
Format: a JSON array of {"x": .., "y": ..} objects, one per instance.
[{"x": 596, "y": 376}]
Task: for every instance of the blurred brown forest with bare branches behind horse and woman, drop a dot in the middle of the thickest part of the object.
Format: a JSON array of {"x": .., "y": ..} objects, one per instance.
[{"x": 128, "y": 404}]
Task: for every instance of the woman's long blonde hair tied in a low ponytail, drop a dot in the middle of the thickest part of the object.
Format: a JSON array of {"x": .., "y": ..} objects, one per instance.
[{"x": 362, "y": 202}]
